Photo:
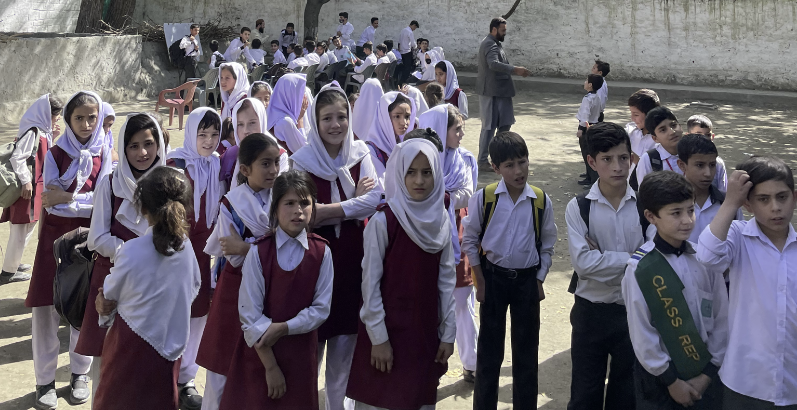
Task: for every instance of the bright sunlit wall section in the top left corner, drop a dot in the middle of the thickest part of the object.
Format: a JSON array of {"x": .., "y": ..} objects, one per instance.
[{"x": 44, "y": 16}]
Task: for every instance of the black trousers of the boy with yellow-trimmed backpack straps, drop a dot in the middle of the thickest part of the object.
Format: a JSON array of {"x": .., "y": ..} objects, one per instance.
[{"x": 521, "y": 296}]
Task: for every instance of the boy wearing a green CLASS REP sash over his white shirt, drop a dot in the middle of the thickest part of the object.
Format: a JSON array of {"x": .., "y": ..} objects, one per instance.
[{"x": 677, "y": 307}]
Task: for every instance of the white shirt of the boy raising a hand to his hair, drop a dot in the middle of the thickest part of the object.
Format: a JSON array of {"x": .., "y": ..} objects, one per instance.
[{"x": 761, "y": 361}]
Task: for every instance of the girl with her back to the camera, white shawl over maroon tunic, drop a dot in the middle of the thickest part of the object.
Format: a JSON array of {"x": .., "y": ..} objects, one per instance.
[{"x": 143, "y": 346}]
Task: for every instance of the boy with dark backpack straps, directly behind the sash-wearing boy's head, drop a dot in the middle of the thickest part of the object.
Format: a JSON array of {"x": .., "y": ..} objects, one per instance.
[{"x": 666, "y": 132}]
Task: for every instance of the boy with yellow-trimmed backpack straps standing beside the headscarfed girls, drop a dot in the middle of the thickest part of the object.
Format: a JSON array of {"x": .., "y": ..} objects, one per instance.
[{"x": 509, "y": 238}]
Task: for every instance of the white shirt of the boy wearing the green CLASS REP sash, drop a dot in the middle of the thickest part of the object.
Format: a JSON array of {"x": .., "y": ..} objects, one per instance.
[{"x": 700, "y": 284}]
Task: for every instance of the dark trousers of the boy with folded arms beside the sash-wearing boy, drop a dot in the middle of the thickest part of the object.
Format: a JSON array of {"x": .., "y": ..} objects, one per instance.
[{"x": 600, "y": 330}]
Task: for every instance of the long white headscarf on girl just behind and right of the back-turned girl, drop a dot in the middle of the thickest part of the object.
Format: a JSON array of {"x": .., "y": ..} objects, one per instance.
[{"x": 203, "y": 170}]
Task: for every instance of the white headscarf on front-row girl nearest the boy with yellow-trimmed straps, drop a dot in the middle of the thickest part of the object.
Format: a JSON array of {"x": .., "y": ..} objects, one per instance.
[{"x": 425, "y": 222}]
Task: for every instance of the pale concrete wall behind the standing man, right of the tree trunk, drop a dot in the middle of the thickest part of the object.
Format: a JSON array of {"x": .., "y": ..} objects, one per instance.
[{"x": 733, "y": 43}]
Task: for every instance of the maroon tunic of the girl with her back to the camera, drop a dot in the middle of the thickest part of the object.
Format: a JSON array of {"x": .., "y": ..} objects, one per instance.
[{"x": 134, "y": 375}]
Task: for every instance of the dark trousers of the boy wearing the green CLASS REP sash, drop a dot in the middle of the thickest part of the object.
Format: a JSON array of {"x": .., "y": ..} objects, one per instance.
[{"x": 652, "y": 394}]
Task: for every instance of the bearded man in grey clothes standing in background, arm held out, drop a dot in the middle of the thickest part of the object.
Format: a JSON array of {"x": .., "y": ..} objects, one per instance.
[{"x": 495, "y": 87}]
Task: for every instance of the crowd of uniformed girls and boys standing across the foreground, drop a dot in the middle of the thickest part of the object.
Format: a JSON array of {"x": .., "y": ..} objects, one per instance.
[{"x": 292, "y": 228}]
